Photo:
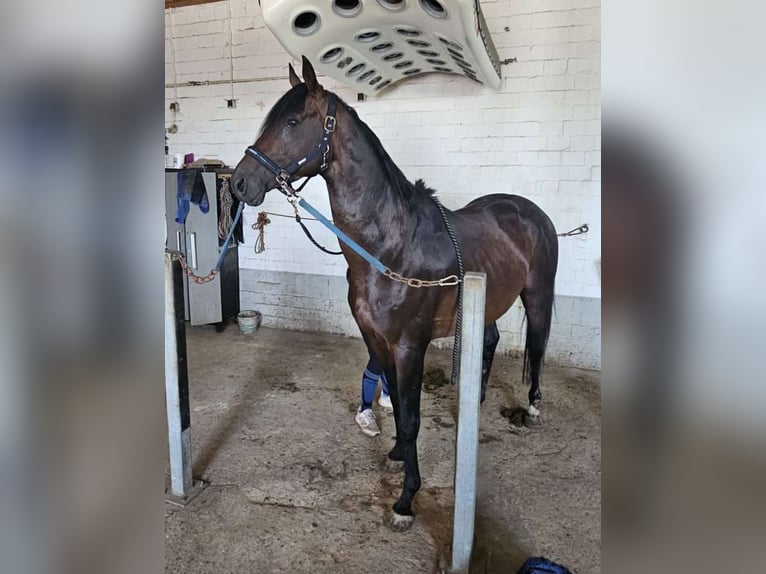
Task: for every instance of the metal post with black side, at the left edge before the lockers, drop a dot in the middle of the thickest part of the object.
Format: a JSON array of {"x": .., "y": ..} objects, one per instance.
[{"x": 177, "y": 381}]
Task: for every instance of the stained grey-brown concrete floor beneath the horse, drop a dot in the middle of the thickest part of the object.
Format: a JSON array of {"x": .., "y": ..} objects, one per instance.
[{"x": 295, "y": 487}]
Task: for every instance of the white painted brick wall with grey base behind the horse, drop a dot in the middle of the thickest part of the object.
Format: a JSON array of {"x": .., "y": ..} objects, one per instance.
[{"x": 539, "y": 136}]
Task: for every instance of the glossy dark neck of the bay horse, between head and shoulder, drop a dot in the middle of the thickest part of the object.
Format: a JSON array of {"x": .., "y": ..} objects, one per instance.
[{"x": 364, "y": 199}]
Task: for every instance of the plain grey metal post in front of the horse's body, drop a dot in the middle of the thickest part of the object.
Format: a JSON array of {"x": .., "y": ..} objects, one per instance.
[{"x": 469, "y": 393}]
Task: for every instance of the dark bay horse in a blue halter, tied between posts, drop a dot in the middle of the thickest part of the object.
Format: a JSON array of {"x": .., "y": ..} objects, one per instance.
[{"x": 505, "y": 236}]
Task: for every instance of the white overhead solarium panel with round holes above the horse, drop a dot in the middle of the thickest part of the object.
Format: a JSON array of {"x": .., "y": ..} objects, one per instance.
[{"x": 372, "y": 44}]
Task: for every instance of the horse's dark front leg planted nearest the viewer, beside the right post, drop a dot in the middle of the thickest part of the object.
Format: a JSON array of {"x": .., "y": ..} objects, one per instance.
[{"x": 409, "y": 376}]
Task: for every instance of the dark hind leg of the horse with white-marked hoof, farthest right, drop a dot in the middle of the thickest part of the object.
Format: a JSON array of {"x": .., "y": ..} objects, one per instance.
[{"x": 537, "y": 297}]
